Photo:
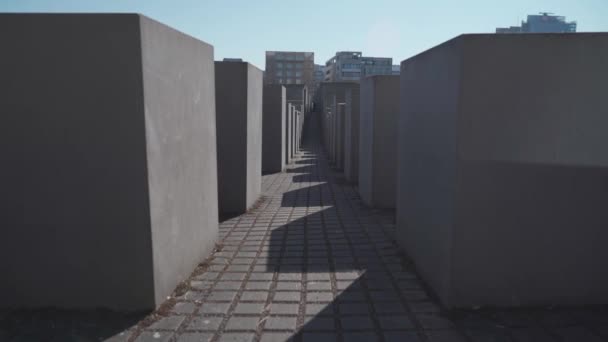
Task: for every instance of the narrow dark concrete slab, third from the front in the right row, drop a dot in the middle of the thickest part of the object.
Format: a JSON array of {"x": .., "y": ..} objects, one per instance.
[{"x": 351, "y": 134}]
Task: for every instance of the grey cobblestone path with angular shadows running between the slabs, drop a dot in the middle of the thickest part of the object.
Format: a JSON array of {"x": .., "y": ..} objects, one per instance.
[{"x": 312, "y": 263}]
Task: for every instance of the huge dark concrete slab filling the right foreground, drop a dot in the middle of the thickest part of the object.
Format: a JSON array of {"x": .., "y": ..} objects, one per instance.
[{"x": 502, "y": 169}]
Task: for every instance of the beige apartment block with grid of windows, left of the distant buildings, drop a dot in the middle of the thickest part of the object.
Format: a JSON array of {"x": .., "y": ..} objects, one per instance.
[{"x": 285, "y": 67}]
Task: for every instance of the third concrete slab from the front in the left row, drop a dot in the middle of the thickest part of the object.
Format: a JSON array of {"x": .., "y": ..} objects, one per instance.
[{"x": 273, "y": 126}]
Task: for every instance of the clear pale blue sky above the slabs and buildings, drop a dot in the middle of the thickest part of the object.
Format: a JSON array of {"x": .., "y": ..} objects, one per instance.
[{"x": 383, "y": 28}]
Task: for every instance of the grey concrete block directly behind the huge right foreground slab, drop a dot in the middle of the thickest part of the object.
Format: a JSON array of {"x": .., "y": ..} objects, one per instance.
[{"x": 378, "y": 140}]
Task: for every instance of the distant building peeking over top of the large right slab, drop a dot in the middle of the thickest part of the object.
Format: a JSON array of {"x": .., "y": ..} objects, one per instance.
[{"x": 541, "y": 23}]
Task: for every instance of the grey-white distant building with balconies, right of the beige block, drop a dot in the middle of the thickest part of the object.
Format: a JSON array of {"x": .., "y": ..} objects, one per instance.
[{"x": 352, "y": 65}]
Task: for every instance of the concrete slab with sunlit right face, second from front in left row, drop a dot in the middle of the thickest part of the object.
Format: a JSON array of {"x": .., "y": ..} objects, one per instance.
[{"x": 238, "y": 89}]
